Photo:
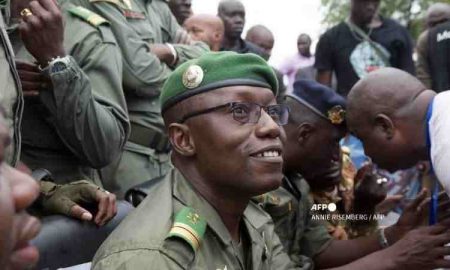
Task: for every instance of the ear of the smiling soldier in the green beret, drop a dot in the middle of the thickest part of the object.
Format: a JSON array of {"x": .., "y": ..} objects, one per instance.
[{"x": 181, "y": 139}]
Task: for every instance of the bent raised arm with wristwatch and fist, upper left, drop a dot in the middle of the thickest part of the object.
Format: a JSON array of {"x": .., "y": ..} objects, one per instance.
[{"x": 86, "y": 103}]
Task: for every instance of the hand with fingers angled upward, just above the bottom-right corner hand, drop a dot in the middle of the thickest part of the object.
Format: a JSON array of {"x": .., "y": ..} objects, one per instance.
[{"x": 412, "y": 217}]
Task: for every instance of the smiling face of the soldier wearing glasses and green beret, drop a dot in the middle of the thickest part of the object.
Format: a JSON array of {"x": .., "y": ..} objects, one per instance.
[{"x": 239, "y": 159}]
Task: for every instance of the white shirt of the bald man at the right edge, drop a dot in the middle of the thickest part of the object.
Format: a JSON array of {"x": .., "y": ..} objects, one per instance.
[{"x": 439, "y": 126}]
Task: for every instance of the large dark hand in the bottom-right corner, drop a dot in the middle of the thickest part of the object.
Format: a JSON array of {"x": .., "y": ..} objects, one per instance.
[{"x": 422, "y": 248}]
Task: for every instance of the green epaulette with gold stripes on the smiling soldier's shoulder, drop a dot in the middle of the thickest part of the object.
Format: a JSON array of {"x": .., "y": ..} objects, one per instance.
[{"x": 189, "y": 226}]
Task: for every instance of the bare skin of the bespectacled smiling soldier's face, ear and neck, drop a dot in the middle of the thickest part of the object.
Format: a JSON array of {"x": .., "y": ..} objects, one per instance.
[{"x": 227, "y": 181}]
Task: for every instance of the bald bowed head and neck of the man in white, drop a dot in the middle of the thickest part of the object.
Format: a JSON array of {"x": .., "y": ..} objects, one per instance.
[{"x": 386, "y": 111}]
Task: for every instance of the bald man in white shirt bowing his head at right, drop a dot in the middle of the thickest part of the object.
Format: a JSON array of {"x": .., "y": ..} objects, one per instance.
[{"x": 401, "y": 122}]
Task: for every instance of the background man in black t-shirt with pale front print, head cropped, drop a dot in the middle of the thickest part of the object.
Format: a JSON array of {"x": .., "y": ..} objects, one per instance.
[{"x": 351, "y": 54}]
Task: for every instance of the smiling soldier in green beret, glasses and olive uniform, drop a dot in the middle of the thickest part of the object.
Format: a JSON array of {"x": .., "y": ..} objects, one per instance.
[{"x": 225, "y": 129}]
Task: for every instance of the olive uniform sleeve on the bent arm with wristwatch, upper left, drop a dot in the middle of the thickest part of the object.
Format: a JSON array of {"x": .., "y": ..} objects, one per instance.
[{"x": 87, "y": 102}]
